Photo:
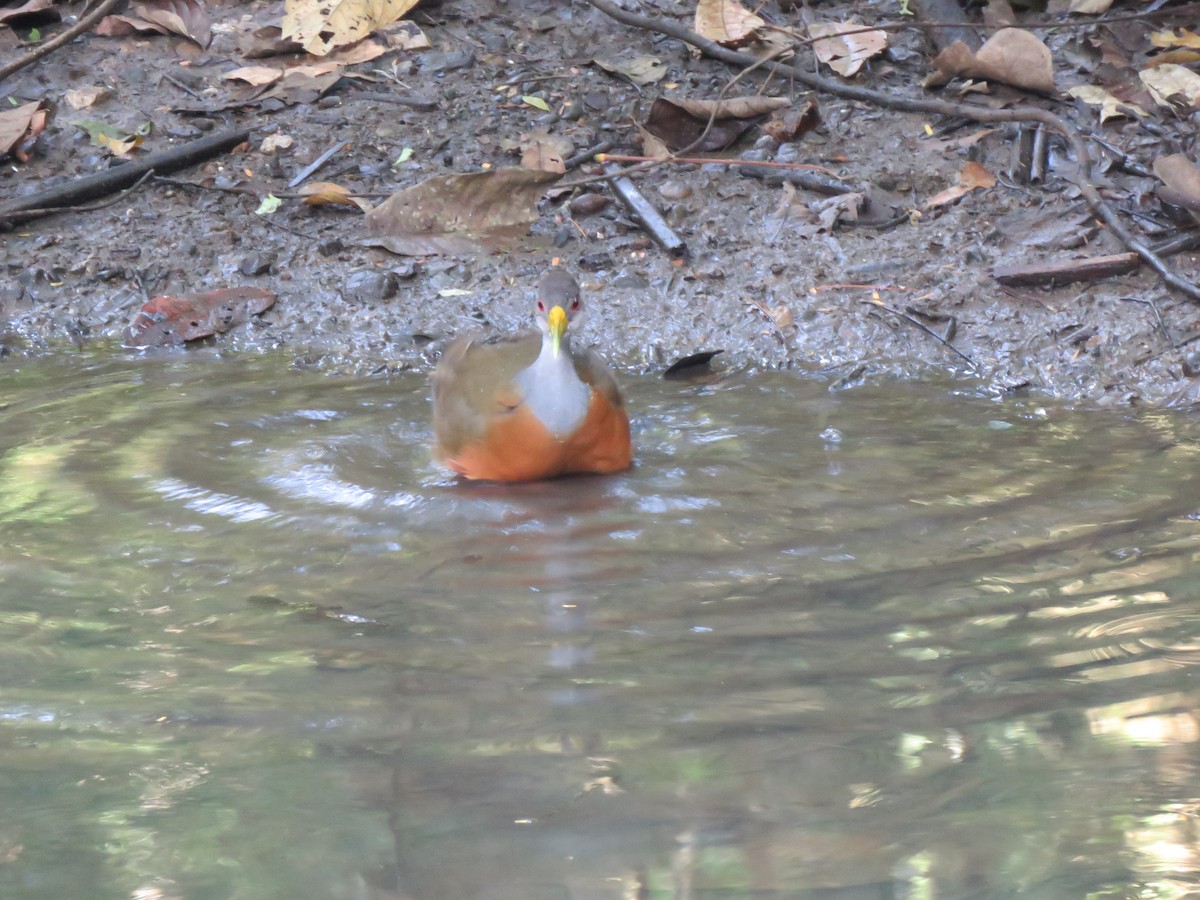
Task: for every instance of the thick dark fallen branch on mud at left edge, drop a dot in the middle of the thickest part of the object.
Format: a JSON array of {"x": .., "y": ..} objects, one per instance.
[{"x": 101, "y": 184}]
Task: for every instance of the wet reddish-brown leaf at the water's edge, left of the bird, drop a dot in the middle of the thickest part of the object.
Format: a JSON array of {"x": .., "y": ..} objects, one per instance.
[{"x": 176, "y": 320}]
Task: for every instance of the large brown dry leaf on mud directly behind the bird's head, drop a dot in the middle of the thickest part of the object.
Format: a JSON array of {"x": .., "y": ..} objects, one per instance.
[{"x": 459, "y": 214}]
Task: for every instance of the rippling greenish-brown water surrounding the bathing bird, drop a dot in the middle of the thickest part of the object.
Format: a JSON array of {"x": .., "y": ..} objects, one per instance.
[{"x": 891, "y": 643}]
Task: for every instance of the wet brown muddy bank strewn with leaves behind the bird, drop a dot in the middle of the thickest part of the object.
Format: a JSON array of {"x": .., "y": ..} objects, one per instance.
[{"x": 764, "y": 281}]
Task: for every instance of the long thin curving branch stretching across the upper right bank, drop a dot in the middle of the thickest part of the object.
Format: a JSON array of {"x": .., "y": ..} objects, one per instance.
[{"x": 933, "y": 107}]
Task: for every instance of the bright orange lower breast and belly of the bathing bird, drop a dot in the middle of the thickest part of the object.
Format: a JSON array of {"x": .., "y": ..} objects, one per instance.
[{"x": 517, "y": 447}]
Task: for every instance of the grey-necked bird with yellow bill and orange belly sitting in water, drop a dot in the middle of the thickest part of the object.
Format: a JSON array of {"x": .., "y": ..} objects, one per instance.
[{"x": 531, "y": 406}]
